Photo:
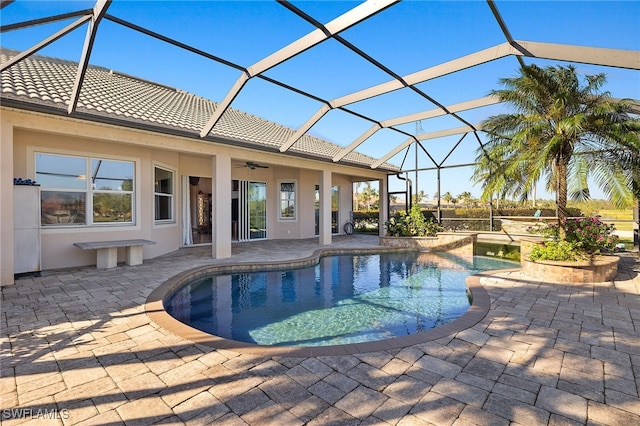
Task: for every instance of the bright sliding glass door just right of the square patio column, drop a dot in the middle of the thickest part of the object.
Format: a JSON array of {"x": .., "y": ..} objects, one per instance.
[{"x": 252, "y": 210}]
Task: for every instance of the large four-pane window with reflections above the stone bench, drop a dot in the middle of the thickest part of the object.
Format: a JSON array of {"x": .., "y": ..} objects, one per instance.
[{"x": 84, "y": 191}]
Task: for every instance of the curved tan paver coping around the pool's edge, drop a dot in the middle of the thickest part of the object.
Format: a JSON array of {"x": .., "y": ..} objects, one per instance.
[{"x": 154, "y": 308}]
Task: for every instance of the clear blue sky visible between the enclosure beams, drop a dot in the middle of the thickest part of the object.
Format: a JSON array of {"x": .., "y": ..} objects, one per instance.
[{"x": 407, "y": 37}]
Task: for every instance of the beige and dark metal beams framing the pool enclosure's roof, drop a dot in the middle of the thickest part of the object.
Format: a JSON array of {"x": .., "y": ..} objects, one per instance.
[{"x": 580, "y": 54}]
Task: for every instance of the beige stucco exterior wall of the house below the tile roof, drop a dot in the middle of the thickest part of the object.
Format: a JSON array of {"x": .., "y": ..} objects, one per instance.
[{"x": 28, "y": 132}]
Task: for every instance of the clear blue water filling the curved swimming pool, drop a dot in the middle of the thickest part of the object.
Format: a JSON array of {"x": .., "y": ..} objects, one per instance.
[{"x": 344, "y": 299}]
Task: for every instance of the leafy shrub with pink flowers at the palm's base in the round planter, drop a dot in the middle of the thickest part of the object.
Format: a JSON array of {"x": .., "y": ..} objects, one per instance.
[{"x": 585, "y": 237}]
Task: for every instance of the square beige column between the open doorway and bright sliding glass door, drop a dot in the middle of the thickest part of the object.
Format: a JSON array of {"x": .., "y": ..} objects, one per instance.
[{"x": 221, "y": 206}]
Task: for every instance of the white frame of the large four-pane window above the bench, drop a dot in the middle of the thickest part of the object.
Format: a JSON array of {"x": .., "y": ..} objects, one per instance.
[{"x": 89, "y": 191}]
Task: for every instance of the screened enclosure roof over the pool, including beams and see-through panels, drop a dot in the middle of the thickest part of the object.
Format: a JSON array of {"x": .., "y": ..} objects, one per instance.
[{"x": 422, "y": 82}]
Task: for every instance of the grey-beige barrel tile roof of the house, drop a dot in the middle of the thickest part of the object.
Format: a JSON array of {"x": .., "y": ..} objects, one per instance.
[{"x": 40, "y": 82}]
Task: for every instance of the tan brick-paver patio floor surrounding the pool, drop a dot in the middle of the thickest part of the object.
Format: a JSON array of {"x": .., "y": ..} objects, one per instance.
[{"x": 78, "y": 348}]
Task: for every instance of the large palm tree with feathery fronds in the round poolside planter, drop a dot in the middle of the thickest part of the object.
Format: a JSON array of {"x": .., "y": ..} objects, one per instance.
[{"x": 564, "y": 130}]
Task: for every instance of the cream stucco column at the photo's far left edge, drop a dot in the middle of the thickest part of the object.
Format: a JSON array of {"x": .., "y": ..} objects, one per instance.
[{"x": 6, "y": 201}]
